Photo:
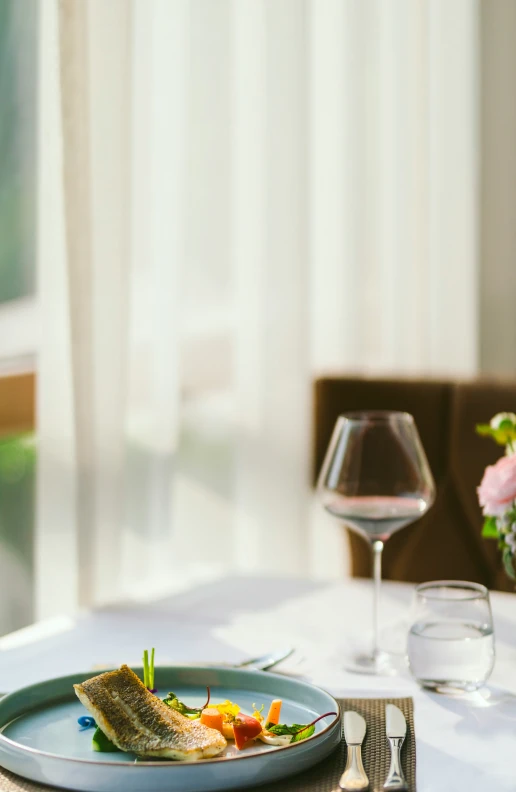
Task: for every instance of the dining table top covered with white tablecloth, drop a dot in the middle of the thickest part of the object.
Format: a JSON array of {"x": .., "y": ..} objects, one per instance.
[{"x": 463, "y": 742}]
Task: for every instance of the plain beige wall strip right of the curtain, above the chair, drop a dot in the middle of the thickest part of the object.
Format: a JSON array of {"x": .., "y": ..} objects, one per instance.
[{"x": 498, "y": 188}]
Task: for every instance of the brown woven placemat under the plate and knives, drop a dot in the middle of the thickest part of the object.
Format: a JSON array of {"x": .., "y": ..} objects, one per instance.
[{"x": 324, "y": 777}]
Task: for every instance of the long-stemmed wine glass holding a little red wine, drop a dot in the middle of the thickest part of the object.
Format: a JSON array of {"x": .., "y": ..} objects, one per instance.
[{"x": 376, "y": 478}]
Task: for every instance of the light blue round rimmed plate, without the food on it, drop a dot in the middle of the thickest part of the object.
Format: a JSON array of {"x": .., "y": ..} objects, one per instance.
[{"x": 40, "y": 738}]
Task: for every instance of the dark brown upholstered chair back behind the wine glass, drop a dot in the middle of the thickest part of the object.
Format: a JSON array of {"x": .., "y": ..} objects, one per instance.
[{"x": 446, "y": 542}]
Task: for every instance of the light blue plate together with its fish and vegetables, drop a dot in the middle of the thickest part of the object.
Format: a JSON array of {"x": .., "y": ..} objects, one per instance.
[{"x": 167, "y": 738}]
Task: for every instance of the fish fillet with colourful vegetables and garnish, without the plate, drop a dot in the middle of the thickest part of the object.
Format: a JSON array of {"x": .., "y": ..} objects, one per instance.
[{"x": 129, "y": 716}]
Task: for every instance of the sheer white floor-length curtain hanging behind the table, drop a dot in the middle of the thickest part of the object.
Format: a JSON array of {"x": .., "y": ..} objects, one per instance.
[{"x": 236, "y": 195}]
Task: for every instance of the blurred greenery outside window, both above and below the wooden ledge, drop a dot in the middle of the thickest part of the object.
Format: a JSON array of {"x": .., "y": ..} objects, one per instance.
[{"x": 18, "y": 182}]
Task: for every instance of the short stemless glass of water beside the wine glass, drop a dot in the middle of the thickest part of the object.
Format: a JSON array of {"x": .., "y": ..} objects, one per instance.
[{"x": 451, "y": 640}]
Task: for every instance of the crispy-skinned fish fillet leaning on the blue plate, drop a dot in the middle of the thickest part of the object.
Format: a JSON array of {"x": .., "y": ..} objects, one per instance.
[{"x": 137, "y": 721}]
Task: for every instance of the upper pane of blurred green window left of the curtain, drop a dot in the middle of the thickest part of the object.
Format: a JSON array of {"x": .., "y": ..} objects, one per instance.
[{"x": 18, "y": 83}]
